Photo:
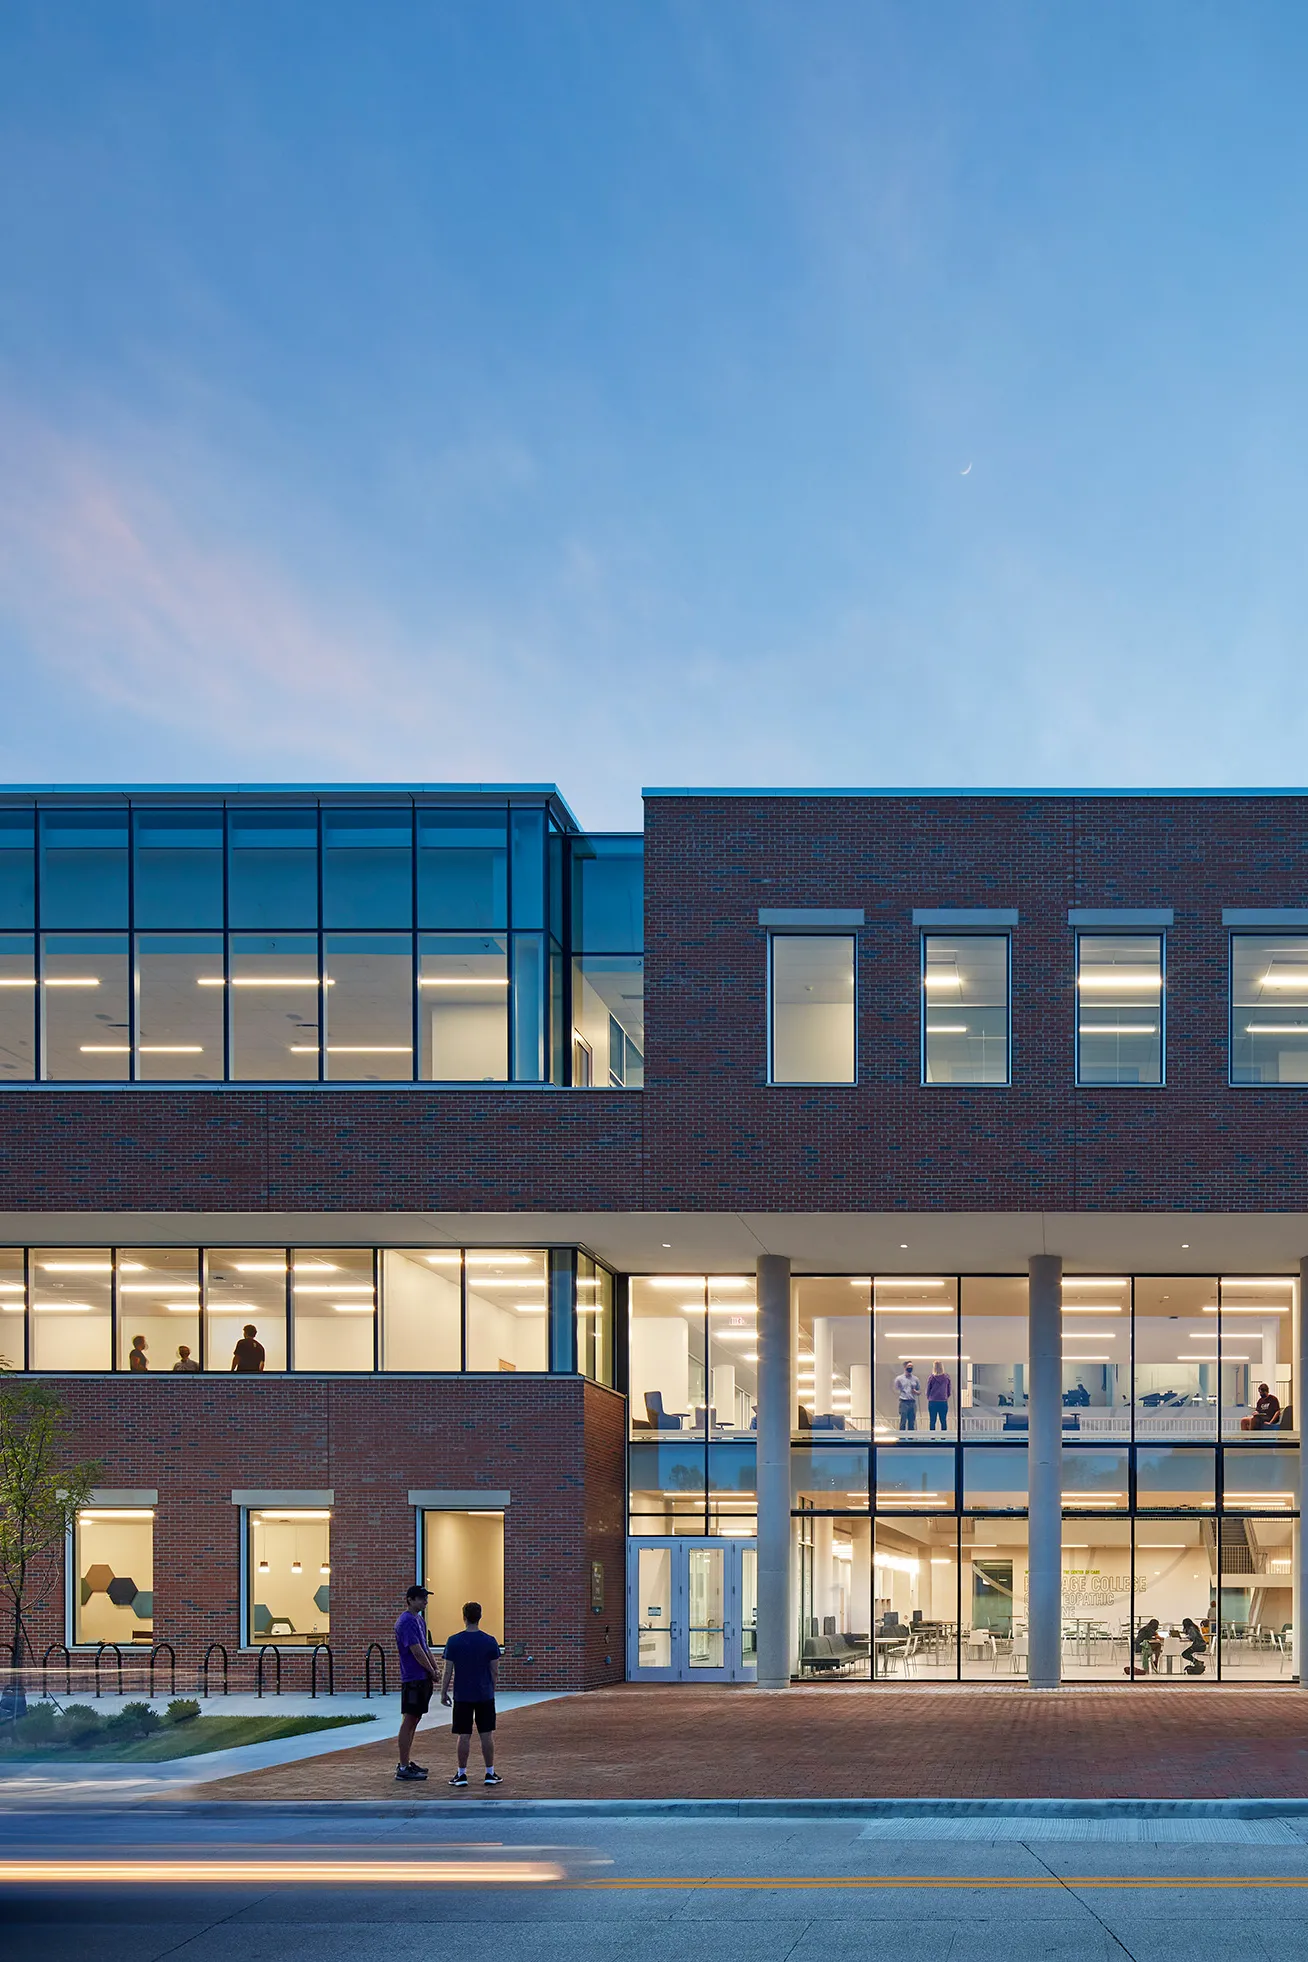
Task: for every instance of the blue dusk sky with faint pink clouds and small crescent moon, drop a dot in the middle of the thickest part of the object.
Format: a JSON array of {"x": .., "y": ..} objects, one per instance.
[{"x": 654, "y": 393}]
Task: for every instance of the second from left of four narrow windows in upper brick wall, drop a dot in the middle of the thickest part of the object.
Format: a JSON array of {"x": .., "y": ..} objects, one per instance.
[{"x": 966, "y": 1007}]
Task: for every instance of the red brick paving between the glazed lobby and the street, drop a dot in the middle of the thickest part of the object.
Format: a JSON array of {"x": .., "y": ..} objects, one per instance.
[{"x": 732, "y": 1743}]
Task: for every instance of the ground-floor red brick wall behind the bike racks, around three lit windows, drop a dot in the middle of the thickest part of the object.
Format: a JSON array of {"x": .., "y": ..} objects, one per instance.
[{"x": 554, "y": 1443}]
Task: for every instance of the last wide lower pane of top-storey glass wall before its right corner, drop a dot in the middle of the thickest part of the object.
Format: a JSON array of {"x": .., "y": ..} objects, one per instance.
[{"x": 464, "y": 1007}]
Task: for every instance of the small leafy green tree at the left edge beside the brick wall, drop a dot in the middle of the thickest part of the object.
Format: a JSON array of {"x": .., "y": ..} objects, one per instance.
[{"x": 42, "y": 1490}]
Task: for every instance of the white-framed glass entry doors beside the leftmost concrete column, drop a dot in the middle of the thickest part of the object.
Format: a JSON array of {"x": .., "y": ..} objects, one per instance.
[{"x": 693, "y": 1612}]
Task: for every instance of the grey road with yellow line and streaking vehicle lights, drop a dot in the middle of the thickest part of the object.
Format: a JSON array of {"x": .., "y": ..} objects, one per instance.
[{"x": 646, "y": 1890}]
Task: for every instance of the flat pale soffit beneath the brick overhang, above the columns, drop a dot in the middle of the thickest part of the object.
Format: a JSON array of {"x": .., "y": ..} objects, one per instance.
[{"x": 725, "y": 1243}]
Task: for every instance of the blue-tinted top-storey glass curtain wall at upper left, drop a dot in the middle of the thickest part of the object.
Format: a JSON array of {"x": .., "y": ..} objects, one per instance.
[{"x": 301, "y": 945}]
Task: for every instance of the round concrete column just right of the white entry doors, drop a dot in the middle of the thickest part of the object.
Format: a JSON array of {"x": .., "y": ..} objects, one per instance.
[{"x": 776, "y": 1374}]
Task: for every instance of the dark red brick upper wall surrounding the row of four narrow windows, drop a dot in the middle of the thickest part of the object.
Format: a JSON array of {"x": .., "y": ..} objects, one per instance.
[{"x": 719, "y": 1139}]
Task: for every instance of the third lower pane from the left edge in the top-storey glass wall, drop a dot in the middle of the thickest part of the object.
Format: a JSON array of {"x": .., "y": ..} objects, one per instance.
[{"x": 179, "y": 1007}]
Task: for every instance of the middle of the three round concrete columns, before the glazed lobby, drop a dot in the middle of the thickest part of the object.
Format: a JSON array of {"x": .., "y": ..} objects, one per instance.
[{"x": 1046, "y": 1471}]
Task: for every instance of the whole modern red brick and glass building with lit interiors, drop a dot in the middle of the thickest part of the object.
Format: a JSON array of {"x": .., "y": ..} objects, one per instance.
[{"x": 852, "y": 1237}]
